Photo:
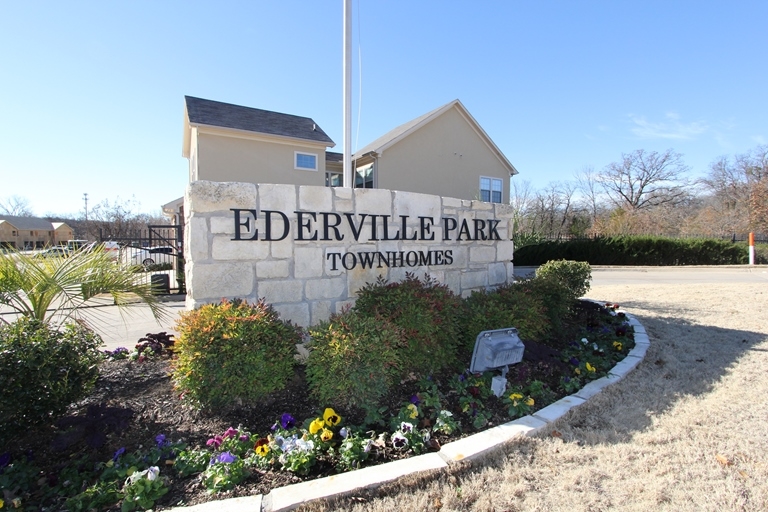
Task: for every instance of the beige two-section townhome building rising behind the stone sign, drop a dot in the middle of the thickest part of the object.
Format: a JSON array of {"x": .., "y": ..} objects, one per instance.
[{"x": 444, "y": 152}]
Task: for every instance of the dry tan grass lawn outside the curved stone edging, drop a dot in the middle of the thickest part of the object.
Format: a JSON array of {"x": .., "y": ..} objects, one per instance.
[{"x": 686, "y": 430}]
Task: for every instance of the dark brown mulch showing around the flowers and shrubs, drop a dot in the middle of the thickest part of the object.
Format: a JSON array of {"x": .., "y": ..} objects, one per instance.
[{"x": 134, "y": 402}]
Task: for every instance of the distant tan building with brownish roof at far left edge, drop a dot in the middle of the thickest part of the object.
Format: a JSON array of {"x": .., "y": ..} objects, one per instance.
[{"x": 32, "y": 232}]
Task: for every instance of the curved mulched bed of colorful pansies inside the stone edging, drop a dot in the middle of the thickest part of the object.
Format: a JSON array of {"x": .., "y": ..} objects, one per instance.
[{"x": 133, "y": 443}]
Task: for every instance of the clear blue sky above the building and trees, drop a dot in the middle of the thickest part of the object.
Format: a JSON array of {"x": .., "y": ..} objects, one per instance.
[{"x": 91, "y": 93}]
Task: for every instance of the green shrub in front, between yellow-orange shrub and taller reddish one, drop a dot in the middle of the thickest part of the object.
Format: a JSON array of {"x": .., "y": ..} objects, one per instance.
[{"x": 353, "y": 360}]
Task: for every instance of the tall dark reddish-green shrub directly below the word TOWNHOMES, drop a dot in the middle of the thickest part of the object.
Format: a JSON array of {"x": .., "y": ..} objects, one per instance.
[{"x": 427, "y": 314}]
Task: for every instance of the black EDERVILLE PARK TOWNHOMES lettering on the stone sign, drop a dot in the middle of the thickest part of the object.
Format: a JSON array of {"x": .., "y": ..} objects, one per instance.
[{"x": 327, "y": 226}]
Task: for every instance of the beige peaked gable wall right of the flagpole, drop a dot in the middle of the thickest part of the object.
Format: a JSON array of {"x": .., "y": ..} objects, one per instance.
[{"x": 445, "y": 157}]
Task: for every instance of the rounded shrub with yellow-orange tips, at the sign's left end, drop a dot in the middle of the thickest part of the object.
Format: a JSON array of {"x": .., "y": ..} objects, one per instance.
[{"x": 233, "y": 353}]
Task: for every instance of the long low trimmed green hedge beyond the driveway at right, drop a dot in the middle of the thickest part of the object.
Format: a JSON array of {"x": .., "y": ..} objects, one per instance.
[{"x": 636, "y": 250}]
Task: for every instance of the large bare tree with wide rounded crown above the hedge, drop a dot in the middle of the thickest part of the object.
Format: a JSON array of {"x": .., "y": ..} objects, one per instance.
[{"x": 643, "y": 180}]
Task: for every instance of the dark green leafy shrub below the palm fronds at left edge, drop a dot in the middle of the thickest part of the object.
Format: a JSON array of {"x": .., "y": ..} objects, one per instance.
[{"x": 42, "y": 371}]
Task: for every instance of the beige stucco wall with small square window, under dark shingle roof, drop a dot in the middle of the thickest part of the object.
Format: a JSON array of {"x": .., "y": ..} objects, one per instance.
[{"x": 222, "y": 158}]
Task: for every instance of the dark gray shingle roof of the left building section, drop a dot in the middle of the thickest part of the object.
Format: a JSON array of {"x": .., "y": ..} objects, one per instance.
[{"x": 226, "y": 115}]
